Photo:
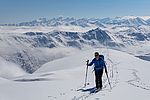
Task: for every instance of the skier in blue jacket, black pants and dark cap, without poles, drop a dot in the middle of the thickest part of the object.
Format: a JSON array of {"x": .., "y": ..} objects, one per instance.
[{"x": 99, "y": 65}]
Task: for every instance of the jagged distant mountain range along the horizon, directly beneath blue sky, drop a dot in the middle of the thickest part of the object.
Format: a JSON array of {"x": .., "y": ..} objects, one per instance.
[{"x": 85, "y": 22}]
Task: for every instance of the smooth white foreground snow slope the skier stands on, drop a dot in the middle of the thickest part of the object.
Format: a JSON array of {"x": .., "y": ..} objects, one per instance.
[{"x": 61, "y": 79}]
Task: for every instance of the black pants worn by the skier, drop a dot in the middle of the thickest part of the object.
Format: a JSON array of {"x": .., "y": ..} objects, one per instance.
[{"x": 98, "y": 78}]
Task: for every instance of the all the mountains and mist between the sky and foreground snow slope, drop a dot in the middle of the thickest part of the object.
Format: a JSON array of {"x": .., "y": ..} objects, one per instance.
[{"x": 32, "y": 44}]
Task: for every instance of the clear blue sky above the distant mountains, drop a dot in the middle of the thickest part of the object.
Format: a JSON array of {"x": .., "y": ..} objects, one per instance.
[{"x": 13, "y": 11}]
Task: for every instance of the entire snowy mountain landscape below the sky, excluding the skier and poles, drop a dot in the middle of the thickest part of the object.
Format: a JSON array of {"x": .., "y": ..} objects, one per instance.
[{"x": 54, "y": 52}]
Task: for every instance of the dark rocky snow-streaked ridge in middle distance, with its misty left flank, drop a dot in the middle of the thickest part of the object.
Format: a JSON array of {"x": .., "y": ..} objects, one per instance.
[{"x": 28, "y": 49}]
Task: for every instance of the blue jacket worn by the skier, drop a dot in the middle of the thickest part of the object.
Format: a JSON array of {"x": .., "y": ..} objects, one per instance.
[{"x": 98, "y": 64}]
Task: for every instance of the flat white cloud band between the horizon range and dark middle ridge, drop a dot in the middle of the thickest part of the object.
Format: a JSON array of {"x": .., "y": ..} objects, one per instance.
[{"x": 44, "y": 29}]
